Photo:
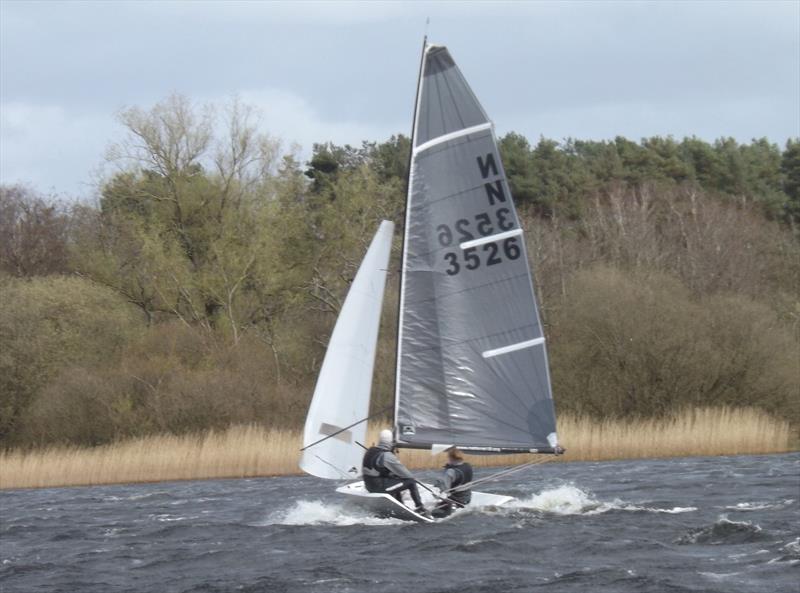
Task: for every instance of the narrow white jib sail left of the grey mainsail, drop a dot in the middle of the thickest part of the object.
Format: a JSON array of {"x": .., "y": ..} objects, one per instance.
[{"x": 342, "y": 394}]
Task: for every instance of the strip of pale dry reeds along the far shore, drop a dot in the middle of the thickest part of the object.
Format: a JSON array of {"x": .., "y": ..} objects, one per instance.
[{"x": 248, "y": 451}]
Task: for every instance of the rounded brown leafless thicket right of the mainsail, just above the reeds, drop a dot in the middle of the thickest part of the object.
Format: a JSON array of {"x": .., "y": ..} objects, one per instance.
[{"x": 637, "y": 344}]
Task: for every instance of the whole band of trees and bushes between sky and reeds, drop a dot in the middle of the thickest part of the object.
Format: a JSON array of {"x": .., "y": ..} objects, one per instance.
[{"x": 201, "y": 287}]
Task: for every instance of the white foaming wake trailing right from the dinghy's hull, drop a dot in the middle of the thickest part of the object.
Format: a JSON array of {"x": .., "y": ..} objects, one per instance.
[{"x": 571, "y": 500}]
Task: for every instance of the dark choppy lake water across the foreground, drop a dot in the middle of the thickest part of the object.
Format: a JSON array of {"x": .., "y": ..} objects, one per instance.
[{"x": 703, "y": 524}]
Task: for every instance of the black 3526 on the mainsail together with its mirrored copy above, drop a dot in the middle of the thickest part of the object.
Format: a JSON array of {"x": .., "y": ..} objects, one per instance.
[{"x": 488, "y": 254}]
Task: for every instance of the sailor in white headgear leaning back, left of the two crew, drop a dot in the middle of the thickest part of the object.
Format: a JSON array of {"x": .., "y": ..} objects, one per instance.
[{"x": 383, "y": 472}]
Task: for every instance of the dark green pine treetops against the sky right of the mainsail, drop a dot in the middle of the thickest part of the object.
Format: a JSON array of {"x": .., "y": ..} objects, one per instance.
[{"x": 556, "y": 177}]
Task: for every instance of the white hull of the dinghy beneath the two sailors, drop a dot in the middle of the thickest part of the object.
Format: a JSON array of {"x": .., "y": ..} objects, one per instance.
[{"x": 385, "y": 505}]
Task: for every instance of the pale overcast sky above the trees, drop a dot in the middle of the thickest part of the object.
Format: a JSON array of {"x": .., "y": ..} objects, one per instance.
[{"x": 346, "y": 71}]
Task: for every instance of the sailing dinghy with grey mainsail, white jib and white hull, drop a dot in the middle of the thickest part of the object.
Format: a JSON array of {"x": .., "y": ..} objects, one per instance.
[{"x": 471, "y": 367}]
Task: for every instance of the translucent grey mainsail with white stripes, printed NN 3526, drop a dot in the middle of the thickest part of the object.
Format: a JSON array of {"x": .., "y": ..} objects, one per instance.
[{"x": 471, "y": 365}]
